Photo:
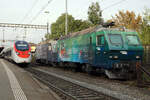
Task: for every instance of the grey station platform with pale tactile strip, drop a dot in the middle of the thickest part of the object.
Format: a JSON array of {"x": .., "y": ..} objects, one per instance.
[{"x": 17, "y": 84}]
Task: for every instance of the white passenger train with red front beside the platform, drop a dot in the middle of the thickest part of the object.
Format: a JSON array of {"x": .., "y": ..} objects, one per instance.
[{"x": 20, "y": 52}]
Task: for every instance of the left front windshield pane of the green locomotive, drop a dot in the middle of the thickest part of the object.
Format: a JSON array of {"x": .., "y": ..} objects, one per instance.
[{"x": 115, "y": 39}]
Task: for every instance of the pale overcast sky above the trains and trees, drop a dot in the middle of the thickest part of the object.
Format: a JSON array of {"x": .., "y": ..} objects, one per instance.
[{"x": 26, "y": 11}]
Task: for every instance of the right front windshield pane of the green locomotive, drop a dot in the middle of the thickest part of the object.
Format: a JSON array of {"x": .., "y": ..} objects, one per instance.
[{"x": 132, "y": 40}]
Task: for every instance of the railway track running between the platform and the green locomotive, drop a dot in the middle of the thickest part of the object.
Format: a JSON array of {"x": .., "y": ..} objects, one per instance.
[{"x": 66, "y": 89}]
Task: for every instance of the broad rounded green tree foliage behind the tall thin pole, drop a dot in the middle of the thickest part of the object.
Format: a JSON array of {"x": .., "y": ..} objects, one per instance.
[{"x": 58, "y": 28}]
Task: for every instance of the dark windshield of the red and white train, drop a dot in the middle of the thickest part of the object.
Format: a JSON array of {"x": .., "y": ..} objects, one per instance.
[{"x": 22, "y": 45}]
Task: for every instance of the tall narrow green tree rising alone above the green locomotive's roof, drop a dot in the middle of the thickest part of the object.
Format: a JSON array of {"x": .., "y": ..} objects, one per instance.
[{"x": 95, "y": 14}]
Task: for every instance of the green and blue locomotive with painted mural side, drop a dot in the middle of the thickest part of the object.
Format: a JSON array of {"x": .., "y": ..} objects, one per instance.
[{"x": 114, "y": 51}]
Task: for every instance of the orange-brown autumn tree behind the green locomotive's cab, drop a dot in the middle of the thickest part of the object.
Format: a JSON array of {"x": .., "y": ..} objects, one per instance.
[{"x": 128, "y": 19}]
